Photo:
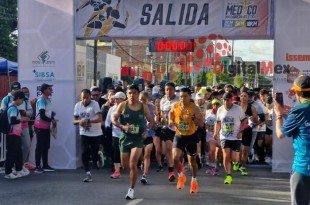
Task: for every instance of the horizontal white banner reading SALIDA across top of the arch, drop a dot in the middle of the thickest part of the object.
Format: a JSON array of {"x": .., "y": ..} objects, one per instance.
[{"x": 234, "y": 19}]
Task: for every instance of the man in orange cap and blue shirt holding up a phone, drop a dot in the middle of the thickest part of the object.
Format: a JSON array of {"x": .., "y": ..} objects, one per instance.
[{"x": 297, "y": 126}]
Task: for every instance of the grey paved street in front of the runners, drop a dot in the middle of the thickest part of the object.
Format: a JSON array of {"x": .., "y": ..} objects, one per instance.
[{"x": 261, "y": 187}]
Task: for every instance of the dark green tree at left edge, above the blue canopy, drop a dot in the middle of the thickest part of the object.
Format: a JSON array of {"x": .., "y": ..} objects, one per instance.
[{"x": 8, "y": 28}]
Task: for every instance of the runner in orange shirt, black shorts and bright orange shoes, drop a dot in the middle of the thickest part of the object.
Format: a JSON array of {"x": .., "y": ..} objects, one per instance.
[{"x": 186, "y": 117}]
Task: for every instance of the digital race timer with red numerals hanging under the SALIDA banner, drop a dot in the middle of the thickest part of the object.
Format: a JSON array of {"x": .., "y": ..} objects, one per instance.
[{"x": 171, "y": 45}]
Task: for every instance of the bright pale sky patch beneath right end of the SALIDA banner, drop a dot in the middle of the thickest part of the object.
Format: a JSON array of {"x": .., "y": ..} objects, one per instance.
[{"x": 254, "y": 50}]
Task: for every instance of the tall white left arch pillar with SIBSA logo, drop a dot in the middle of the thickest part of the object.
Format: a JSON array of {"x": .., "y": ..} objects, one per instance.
[{"x": 46, "y": 54}]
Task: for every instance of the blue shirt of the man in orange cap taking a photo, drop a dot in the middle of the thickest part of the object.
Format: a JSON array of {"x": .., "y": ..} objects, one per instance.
[{"x": 297, "y": 125}]
